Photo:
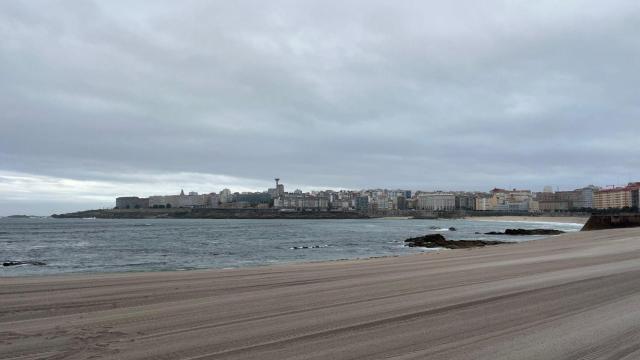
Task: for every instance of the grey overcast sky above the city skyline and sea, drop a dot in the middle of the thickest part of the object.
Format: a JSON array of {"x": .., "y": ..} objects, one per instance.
[{"x": 109, "y": 98}]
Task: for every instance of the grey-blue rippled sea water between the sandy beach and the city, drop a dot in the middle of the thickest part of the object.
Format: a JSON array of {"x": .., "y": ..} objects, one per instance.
[{"x": 100, "y": 245}]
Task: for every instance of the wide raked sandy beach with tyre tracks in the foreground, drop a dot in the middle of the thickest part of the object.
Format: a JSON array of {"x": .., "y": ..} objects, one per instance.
[{"x": 574, "y": 296}]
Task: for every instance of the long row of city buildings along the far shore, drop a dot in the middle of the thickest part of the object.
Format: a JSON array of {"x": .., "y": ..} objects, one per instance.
[{"x": 587, "y": 198}]
